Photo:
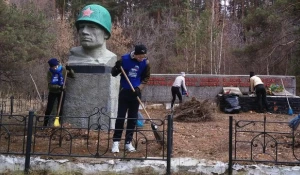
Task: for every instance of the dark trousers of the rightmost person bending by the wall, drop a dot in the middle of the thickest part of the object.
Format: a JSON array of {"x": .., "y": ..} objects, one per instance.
[{"x": 261, "y": 98}]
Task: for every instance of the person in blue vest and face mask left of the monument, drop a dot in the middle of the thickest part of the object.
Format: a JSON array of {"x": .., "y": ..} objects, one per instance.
[{"x": 55, "y": 79}]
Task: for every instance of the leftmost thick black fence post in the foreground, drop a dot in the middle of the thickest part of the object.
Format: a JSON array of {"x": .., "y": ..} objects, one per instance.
[{"x": 28, "y": 142}]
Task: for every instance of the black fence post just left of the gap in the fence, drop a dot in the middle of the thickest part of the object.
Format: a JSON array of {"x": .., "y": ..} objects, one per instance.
[{"x": 169, "y": 143}]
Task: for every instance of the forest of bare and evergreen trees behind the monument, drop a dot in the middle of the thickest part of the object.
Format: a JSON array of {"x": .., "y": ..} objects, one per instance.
[{"x": 228, "y": 37}]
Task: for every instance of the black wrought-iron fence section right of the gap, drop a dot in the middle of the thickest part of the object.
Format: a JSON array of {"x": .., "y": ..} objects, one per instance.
[{"x": 268, "y": 142}]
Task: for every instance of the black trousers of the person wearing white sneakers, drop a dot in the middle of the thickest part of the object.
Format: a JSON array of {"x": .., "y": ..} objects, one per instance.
[{"x": 128, "y": 103}]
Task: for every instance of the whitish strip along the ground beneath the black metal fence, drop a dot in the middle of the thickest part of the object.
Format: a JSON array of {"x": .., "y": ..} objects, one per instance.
[{"x": 184, "y": 164}]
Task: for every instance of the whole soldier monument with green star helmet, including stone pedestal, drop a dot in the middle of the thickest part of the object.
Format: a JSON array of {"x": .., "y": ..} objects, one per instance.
[{"x": 93, "y": 87}]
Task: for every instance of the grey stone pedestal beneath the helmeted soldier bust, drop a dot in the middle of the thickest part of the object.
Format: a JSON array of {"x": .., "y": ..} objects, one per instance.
[{"x": 92, "y": 88}]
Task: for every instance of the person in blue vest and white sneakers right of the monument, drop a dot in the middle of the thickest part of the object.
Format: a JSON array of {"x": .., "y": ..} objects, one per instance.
[{"x": 137, "y": 68}]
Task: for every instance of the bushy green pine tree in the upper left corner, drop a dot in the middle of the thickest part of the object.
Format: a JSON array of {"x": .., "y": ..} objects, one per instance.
[{"x": 24, "y": 37}]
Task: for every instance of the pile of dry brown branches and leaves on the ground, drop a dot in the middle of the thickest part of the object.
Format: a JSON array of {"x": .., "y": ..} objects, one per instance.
[{"x": 194, "y": 111}]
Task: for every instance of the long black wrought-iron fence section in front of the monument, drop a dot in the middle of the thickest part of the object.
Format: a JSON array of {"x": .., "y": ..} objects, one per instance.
[{"x": 25, "y": 135}]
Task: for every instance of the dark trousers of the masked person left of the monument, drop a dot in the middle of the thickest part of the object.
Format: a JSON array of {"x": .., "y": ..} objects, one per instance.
[{"x": 52, "y": 97}]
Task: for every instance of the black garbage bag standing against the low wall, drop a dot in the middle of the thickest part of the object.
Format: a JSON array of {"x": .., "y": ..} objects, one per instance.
[{"x": 232, "y": 104}]
